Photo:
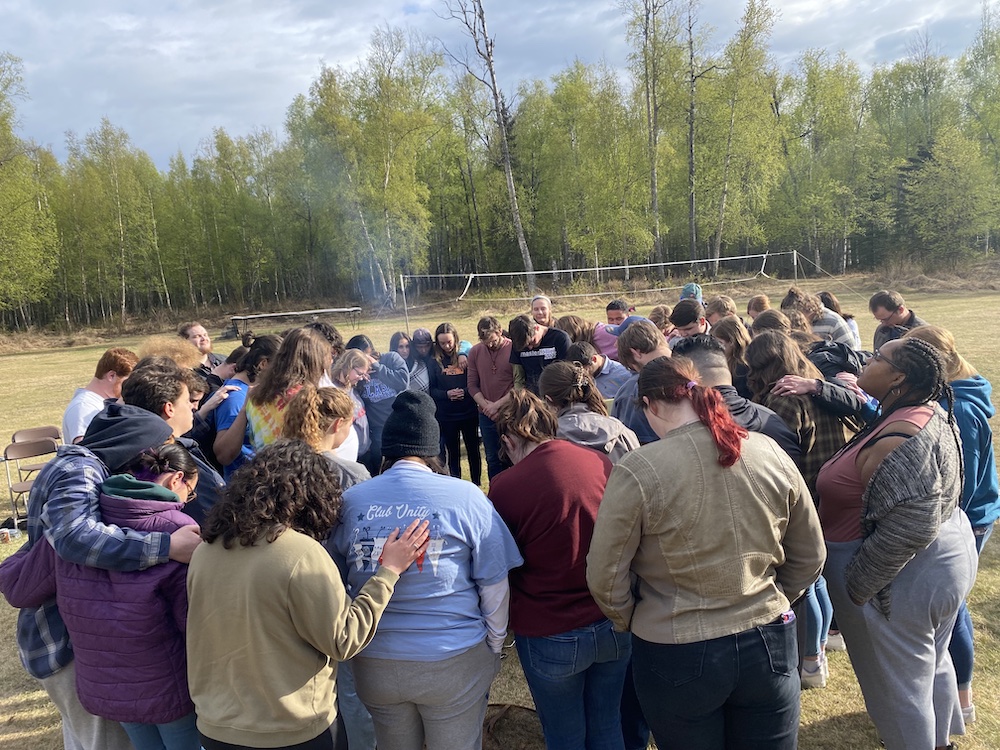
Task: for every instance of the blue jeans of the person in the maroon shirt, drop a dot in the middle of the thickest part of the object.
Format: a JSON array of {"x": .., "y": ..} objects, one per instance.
[{"x": 576, "y": 680}]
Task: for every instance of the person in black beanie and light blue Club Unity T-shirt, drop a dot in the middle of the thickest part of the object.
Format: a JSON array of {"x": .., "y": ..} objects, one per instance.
[{"x": 437, "y": 647}]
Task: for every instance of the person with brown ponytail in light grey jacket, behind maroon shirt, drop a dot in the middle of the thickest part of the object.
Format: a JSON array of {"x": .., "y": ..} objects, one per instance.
[{"x": 569, "y": 389}]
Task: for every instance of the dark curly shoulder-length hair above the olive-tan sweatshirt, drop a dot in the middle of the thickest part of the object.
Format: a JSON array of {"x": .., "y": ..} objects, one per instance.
[{"x": 287, "y": 485}]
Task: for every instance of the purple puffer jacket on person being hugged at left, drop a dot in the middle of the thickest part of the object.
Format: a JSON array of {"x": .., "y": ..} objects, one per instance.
[{"x": 127, "y": 629}]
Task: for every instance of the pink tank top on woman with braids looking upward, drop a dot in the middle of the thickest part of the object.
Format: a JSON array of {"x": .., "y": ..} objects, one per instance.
[{"x": 839, "y": 482}]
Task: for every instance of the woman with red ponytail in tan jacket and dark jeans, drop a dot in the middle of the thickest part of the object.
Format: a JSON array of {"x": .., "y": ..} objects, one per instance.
[{"x": 703, "y": 540}]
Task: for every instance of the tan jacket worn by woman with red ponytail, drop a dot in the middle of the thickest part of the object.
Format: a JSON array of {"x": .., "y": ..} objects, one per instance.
[{"x": 686, "y": 550}]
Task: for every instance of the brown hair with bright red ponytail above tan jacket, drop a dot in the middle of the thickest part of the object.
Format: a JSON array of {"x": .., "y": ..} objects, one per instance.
[{"x": 674, "y": 379}]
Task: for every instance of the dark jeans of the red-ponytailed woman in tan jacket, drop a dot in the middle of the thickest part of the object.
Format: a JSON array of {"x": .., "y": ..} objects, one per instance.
[{"x": 736, "y": 692}]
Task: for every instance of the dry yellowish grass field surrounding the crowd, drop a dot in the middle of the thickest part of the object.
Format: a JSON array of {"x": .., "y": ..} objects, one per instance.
[{"x": 35, "y": 386}]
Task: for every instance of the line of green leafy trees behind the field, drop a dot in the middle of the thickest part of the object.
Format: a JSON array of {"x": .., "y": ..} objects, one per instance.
[{"x": 414, "y": 161}]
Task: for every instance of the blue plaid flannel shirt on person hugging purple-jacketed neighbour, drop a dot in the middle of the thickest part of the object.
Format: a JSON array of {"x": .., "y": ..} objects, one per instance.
[{"x": 63, "y": 508}]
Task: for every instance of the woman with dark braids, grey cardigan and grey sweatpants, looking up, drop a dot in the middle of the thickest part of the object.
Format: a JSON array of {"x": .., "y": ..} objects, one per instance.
[{"x": 901, "y": 554}]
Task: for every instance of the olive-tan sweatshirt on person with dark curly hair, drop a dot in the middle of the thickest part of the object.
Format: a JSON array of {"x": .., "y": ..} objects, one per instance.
[{"x": 266, "y": 626}]
